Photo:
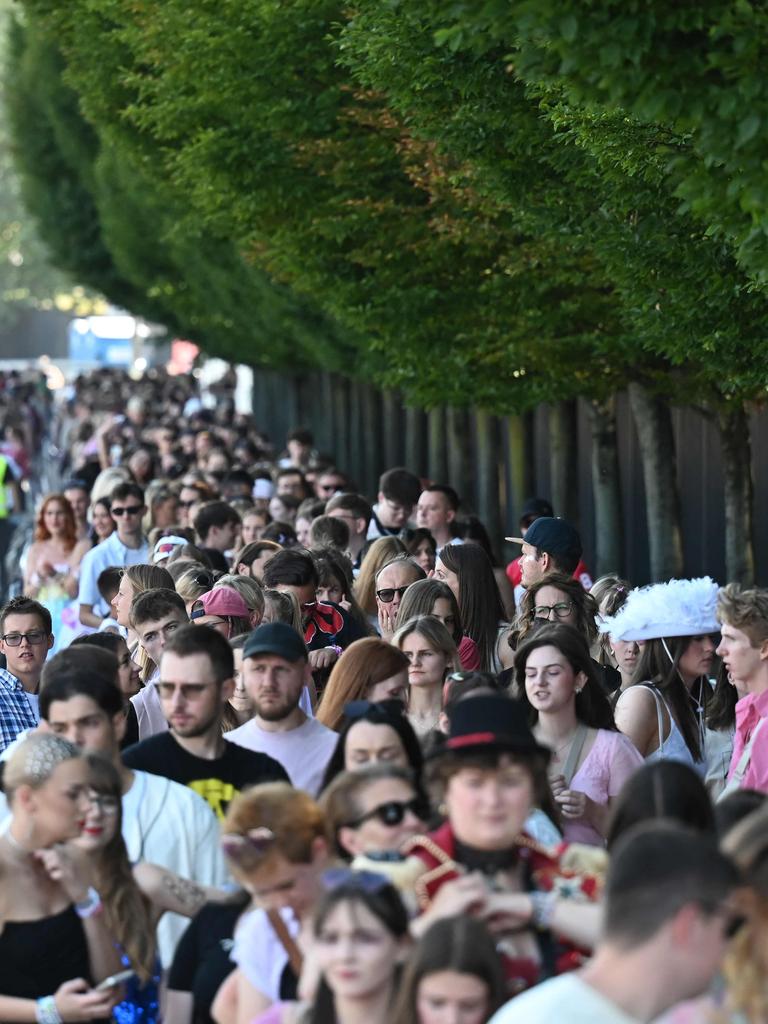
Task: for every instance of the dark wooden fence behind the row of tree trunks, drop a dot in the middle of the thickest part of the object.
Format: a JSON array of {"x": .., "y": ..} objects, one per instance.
[{"x": 496, "y": 463}]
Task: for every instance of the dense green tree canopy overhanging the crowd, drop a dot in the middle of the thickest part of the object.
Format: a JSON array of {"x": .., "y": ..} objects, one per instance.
[{"x": 480, "y": 203}]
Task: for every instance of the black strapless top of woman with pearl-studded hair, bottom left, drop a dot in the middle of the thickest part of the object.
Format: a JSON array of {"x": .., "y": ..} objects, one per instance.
[{"x": 37, "y": 956}]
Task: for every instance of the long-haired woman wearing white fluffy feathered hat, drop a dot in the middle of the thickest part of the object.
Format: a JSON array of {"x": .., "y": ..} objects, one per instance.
[{"x": 663, "y": 712}]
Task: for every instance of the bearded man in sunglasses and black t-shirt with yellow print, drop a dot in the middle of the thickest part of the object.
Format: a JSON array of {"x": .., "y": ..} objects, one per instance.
[{"x": 197, "y": 671}]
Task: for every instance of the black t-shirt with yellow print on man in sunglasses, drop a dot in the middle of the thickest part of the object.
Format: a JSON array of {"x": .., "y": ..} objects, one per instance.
[{"x": 219, "y": 782}]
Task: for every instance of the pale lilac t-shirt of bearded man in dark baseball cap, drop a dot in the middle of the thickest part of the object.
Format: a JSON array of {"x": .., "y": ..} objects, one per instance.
[{"x": 305, "y": 752}]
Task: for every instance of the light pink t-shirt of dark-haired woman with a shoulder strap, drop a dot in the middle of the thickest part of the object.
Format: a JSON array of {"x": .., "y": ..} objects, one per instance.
[{"x": 608, "y": 766}]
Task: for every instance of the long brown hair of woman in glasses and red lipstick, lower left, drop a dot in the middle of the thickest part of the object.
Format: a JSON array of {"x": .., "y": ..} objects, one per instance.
[{"x": 126, "y": 909}]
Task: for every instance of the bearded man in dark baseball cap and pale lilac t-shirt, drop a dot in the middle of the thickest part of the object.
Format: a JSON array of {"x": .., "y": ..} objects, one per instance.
[{"x": 276, "y": 669}]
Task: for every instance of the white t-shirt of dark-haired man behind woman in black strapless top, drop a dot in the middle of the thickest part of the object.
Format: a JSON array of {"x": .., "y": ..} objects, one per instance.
[{"x": 167, "y": 824}]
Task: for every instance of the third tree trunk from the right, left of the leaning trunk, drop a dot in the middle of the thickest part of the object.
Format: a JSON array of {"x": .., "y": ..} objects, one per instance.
[{"x": 607, "y": 488}]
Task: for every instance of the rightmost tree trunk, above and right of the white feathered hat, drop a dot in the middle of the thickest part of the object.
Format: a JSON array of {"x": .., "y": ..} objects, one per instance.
[{"x": 737, "y": 447}]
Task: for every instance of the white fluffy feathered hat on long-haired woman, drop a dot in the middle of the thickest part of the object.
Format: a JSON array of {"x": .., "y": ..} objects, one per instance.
[{"x": 677, "y": 609}]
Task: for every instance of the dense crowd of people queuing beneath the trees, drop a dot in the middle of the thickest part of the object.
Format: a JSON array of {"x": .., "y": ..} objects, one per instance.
[{"x": 276, "y": 752}]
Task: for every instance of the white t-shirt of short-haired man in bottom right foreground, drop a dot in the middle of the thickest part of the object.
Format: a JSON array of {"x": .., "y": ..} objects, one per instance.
[{"x": 567, "y": 999}]
